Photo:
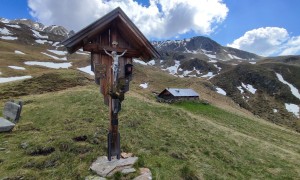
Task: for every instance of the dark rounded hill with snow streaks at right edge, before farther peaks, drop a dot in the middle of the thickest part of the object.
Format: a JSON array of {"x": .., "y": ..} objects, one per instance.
[{"x": 258, "y": 89}]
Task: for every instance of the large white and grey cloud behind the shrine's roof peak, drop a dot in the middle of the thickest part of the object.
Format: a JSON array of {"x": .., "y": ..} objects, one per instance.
[{"x": 161, "y": 19}]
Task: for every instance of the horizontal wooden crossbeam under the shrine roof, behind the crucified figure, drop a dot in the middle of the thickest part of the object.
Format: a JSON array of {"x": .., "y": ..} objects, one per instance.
[{"x": 97, "y": 48}]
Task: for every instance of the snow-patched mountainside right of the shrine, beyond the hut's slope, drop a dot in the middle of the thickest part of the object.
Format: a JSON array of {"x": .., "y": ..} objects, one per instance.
[{"x": 266, "y": 86}]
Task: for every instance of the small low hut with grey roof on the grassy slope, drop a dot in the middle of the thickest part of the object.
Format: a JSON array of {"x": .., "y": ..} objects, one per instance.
[{"x": 178, "y": 94}]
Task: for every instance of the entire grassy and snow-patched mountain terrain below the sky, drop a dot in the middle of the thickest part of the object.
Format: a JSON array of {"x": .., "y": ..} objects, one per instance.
[{"x": 63, "y": 126}]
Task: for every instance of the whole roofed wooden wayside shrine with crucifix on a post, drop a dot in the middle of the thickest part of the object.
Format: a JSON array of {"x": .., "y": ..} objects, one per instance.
[{"x": 113, "y": 41}]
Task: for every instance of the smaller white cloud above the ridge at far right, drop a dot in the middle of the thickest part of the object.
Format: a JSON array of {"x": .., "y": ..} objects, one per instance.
[{"x": 268, "y": 41}]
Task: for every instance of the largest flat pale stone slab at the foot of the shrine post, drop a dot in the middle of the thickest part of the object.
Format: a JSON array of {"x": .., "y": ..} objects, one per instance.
[{"x": 103, "y": 167}]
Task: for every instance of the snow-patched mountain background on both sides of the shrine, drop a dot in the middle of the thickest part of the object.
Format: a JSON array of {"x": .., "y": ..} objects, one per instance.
[{"x": 225, "y": 69}]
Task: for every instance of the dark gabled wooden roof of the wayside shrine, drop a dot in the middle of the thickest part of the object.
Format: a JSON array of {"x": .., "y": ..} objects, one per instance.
[{"x": 125, "y": 26}]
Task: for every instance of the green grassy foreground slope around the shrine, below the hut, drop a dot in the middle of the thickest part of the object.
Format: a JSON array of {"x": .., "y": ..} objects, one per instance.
[{"x": 186, "y": 140}]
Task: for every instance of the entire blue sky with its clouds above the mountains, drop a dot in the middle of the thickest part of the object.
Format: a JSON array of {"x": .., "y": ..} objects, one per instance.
[{"x": 241, "y": 24}]
